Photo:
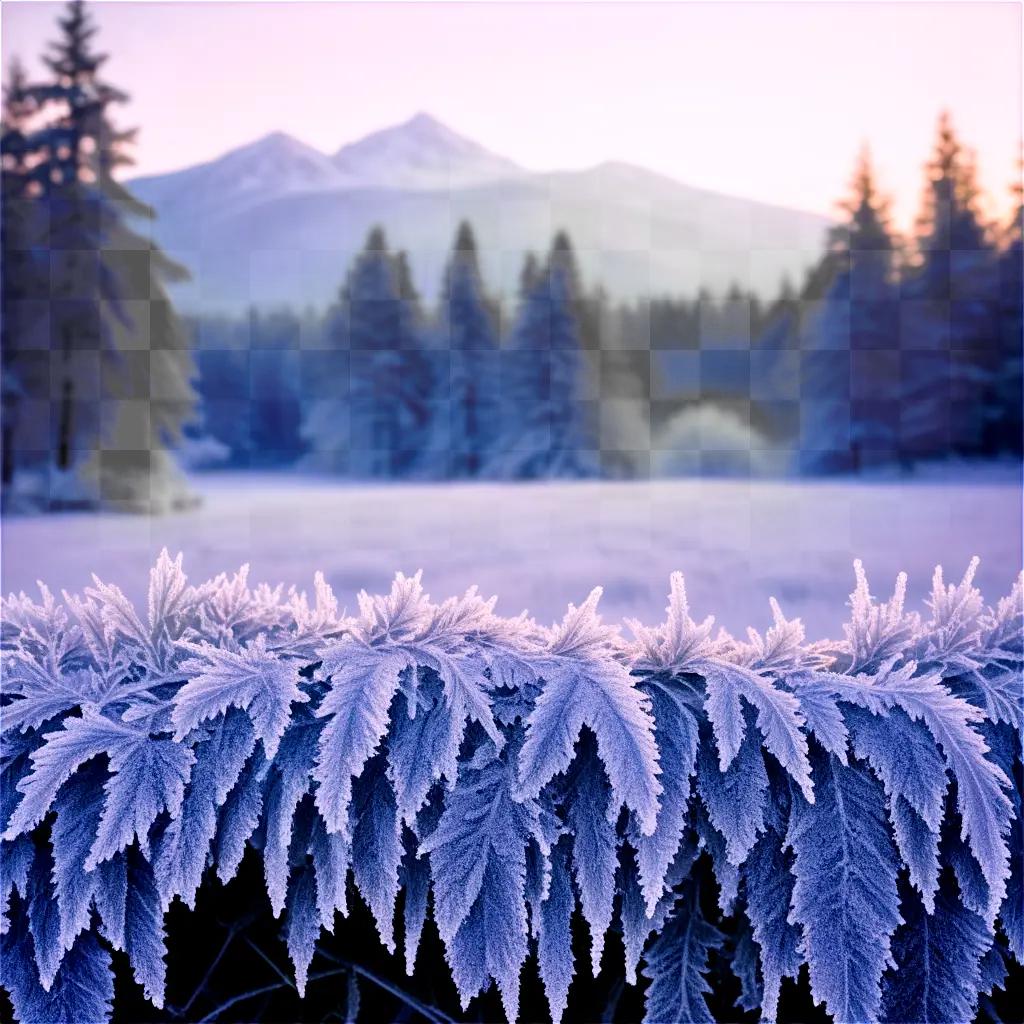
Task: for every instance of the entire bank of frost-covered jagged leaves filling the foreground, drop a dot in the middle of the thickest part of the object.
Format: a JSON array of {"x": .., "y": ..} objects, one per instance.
[{"x": 763, "y": 803}]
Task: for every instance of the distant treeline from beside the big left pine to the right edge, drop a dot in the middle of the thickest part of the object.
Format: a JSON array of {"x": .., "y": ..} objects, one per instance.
[{"x": 891, "y": 352}]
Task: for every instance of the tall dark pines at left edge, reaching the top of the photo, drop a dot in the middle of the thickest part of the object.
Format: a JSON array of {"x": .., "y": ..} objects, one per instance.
[{"x": 98, "y": 365}]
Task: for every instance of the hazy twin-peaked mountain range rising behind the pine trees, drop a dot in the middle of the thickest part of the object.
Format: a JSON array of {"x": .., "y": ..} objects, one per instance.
[{"x": 278, "y": 223}]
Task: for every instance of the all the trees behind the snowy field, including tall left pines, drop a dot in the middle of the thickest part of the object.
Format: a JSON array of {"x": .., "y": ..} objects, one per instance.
[{"x": 891, "y": 352}]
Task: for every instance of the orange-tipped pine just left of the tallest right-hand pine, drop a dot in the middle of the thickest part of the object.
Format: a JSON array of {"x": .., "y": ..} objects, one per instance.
[{"x": 849, "y": 402}]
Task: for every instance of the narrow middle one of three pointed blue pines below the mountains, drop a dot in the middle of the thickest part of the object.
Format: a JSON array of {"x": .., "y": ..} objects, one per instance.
[{"x": 470, "y": 406}]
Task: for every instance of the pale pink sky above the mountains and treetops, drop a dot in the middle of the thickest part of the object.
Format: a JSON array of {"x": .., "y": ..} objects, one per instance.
[{"x": 770, "y": 101}]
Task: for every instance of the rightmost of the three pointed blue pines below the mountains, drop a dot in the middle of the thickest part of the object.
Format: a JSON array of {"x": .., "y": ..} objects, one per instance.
[{"x": 549, "y": 425}]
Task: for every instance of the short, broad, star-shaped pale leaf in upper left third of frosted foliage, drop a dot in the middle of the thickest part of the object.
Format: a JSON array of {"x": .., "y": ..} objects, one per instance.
[{"x": 253, "y": 678}]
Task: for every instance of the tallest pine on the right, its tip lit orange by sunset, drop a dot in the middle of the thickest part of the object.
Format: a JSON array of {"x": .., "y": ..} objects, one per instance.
[{"x": 950, "y": 305}]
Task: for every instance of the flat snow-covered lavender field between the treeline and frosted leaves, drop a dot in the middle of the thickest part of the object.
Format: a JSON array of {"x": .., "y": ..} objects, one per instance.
[{"x": 540, "y": 546}]
